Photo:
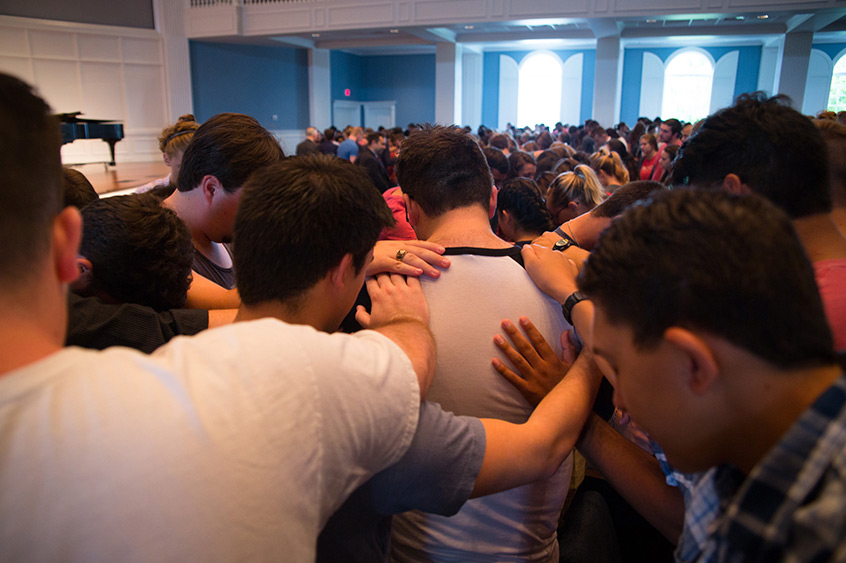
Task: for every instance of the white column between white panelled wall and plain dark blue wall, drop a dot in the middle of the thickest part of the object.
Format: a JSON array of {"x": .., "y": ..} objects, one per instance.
[{"x": 170, "y": 23}]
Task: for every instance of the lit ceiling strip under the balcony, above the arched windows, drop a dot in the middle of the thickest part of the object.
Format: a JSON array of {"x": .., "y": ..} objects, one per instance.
[{"x": 761, "y": 28}]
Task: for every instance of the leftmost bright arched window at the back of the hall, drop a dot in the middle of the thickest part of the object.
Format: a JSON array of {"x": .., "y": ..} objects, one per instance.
[{"x": 539, "y": 90}]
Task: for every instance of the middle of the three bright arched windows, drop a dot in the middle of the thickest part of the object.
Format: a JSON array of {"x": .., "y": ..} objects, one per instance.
[{"x": 688, "y": 78}]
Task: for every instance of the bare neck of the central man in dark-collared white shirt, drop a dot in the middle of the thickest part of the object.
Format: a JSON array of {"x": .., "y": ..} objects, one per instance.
[{"x": 464, "y": 226}]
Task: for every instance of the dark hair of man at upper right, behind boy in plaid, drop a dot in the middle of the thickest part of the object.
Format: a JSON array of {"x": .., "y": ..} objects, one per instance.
[{"x": 772, "y": 148}]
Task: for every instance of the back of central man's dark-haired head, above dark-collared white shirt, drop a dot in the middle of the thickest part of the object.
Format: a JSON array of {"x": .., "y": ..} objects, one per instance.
[{"x": 443, "y": 168}]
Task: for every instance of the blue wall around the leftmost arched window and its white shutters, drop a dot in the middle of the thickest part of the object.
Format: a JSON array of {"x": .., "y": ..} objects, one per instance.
[{"x": 490, "y": 80}]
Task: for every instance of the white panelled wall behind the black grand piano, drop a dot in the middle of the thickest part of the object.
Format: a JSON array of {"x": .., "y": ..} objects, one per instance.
[{"x": 105, "y": 72}]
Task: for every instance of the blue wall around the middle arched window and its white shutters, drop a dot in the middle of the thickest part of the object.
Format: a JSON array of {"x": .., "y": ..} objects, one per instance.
[{"x": 748, "y": 64}]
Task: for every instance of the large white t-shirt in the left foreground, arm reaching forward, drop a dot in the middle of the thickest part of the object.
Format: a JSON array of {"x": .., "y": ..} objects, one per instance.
[{"x": 235, "y": 444}]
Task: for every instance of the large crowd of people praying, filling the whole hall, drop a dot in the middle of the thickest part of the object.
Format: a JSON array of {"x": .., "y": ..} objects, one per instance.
[{"x": 549, "y": 344}]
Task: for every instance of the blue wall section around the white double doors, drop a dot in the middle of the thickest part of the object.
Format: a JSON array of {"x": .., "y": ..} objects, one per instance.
[{"x": 407, "y": 79}]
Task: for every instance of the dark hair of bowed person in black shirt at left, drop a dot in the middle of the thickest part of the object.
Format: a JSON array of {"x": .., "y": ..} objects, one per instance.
[{"x": 140, "y": 251}]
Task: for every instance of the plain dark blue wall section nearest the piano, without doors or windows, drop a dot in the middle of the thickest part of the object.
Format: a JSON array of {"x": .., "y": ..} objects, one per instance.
[{"x": 257, "y": 80}]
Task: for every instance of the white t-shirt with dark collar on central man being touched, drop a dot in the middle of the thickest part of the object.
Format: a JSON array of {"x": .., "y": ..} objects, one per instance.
[{"x": 466, "y": 306}]
